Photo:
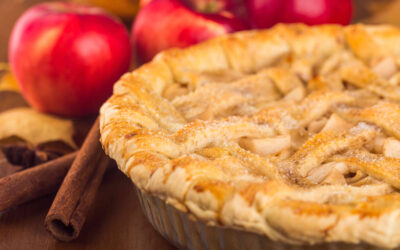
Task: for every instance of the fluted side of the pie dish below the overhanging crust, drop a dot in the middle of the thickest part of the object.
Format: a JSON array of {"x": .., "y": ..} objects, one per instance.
[{"x": 185, "y": 232}]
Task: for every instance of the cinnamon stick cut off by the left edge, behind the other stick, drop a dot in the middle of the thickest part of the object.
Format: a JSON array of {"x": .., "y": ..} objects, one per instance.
[{"x": 33, "y": 183}]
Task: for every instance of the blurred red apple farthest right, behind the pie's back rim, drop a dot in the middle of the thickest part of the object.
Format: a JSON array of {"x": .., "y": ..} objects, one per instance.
[{"x": 314, "y": 12}]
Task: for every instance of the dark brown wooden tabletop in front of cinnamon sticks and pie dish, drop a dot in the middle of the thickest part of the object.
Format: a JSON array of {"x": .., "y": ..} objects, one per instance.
[{"x": 115, "y": 222}]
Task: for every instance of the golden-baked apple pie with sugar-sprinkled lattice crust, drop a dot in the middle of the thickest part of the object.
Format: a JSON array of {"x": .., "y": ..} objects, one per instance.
[{"x": 290, "y": 134}]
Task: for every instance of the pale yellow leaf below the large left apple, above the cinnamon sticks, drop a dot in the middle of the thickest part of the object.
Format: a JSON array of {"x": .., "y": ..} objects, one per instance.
[{"x": 35, "y": 127}]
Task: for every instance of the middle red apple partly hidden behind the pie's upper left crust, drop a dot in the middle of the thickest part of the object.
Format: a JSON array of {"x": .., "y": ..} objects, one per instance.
[{"x": 163, "y": 24}]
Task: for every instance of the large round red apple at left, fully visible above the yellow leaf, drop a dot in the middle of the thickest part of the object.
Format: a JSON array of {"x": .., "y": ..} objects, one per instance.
[{"x": 66, "y": 57}]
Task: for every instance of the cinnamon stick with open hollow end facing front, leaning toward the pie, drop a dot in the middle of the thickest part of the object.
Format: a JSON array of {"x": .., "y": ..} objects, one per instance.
[{"x": 78, "y": 190}]
